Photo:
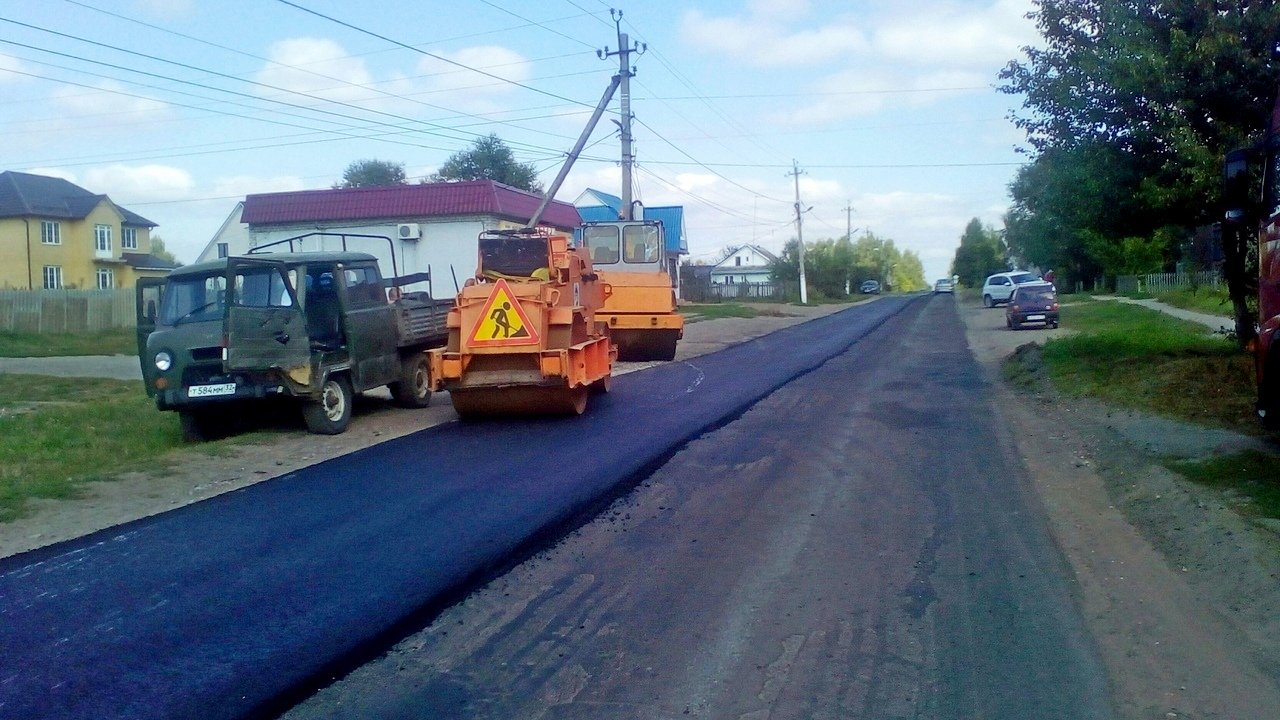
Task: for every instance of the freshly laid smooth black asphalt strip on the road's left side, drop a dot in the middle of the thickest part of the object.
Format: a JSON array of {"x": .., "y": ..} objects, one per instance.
[{"x": 235, "y": 607}]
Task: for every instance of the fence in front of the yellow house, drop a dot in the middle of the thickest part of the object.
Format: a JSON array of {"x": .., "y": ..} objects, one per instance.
[{"x": 66, "y": 311}]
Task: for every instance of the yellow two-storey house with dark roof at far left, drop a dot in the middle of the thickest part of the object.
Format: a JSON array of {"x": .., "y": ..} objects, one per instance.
[{"x": 58, "y": 235}]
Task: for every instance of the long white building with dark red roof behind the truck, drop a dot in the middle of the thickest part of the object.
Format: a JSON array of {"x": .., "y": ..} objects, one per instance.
[{"x": 433, "y": 226}]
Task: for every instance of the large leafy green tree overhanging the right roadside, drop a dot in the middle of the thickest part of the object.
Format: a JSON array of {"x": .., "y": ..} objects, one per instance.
[{"x": 1160, "y": 92}]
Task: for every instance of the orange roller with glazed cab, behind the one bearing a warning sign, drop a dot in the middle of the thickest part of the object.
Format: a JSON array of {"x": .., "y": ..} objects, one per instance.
[{"x": 632, "y": 258}]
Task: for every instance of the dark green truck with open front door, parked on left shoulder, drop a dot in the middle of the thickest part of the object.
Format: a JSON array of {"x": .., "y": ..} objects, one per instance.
[{"x": 217, "y": 338}]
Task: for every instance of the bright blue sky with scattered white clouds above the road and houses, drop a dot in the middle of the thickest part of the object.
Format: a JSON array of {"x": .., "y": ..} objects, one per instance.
[{"x": 177, "y": 110}]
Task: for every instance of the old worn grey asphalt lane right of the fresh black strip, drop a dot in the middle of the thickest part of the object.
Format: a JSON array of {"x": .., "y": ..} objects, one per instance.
[{"x": 862, "y": 544}]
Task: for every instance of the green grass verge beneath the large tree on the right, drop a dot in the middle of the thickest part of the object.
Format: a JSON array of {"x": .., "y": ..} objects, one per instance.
[{"x": 1137, "y": 358}]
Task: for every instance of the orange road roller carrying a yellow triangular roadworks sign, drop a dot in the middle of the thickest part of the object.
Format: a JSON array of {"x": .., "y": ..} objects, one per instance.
[{"x": 523, "y": 336}]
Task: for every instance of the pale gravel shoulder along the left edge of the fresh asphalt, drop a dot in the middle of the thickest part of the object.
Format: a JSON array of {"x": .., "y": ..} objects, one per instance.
[{"x": 203, "y": 472}]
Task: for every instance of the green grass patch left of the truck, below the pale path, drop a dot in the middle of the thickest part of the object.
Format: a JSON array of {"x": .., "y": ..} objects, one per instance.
[{"x": 60, "y": 434}]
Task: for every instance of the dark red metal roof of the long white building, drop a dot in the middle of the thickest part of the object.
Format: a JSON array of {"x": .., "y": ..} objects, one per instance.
[{"x": 405, "y": 203}]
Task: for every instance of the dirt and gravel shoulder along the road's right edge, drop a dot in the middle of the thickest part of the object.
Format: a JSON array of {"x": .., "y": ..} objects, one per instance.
[{"x": 1178, "y": 589}]
